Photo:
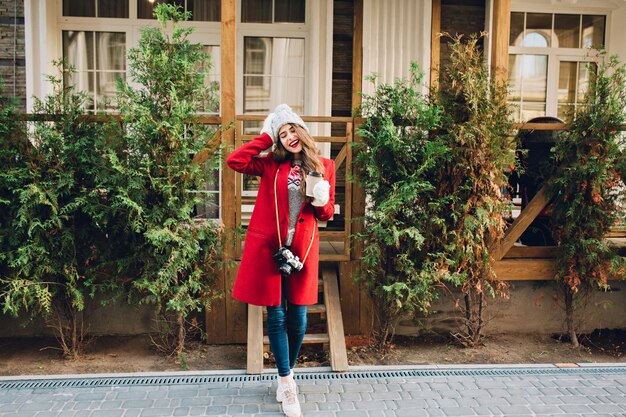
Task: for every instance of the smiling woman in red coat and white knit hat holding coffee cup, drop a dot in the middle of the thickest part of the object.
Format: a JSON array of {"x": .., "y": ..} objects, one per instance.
[{"x": 284, "y": 226}]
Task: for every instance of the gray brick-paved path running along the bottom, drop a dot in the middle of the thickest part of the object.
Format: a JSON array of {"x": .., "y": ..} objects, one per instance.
[{"x": 374, "y": 392}]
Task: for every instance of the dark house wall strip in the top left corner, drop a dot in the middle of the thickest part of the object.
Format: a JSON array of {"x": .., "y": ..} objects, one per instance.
[{"x": 12, "y": 55}]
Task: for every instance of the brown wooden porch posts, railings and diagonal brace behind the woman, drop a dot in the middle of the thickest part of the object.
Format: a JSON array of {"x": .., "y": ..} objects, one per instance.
[{"x": 227, "y": 322}]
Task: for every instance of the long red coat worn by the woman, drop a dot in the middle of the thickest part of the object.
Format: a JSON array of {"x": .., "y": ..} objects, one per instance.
[{"x": 258, "y": 280}]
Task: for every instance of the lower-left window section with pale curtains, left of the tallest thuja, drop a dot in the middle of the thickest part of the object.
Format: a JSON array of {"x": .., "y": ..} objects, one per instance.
[{"x": 99, "y": 58}]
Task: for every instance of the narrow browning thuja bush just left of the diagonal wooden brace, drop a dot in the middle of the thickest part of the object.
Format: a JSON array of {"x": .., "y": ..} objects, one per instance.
[{"x": 477, "y": 132}]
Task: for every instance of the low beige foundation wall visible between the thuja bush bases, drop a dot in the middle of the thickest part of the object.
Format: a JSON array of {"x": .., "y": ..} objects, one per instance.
[{"x": 534, "y": 307}]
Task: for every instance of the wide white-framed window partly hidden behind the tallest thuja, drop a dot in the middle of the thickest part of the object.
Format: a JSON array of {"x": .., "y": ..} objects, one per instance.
[{"x": 95, "y": 36}]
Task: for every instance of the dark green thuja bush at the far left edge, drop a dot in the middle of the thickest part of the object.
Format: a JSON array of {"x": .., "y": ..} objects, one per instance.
[{"x": 55, "y": 213}]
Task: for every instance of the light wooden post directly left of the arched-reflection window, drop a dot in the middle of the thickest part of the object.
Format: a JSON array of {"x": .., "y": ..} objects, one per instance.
[{"x": 501, "y": 29}]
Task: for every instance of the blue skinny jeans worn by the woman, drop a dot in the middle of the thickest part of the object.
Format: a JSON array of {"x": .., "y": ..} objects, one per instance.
[{"x": 286, "y": 326}]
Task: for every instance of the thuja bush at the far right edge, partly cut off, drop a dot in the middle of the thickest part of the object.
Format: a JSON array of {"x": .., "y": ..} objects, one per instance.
[{"x": 588, "y": 188}]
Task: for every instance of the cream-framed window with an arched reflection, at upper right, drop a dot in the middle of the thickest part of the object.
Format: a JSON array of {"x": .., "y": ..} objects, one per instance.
[{"x": 549, "y": 60}]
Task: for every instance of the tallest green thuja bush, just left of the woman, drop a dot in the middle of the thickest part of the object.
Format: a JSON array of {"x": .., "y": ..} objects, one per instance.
[{"x": 175, "y": 255}]
